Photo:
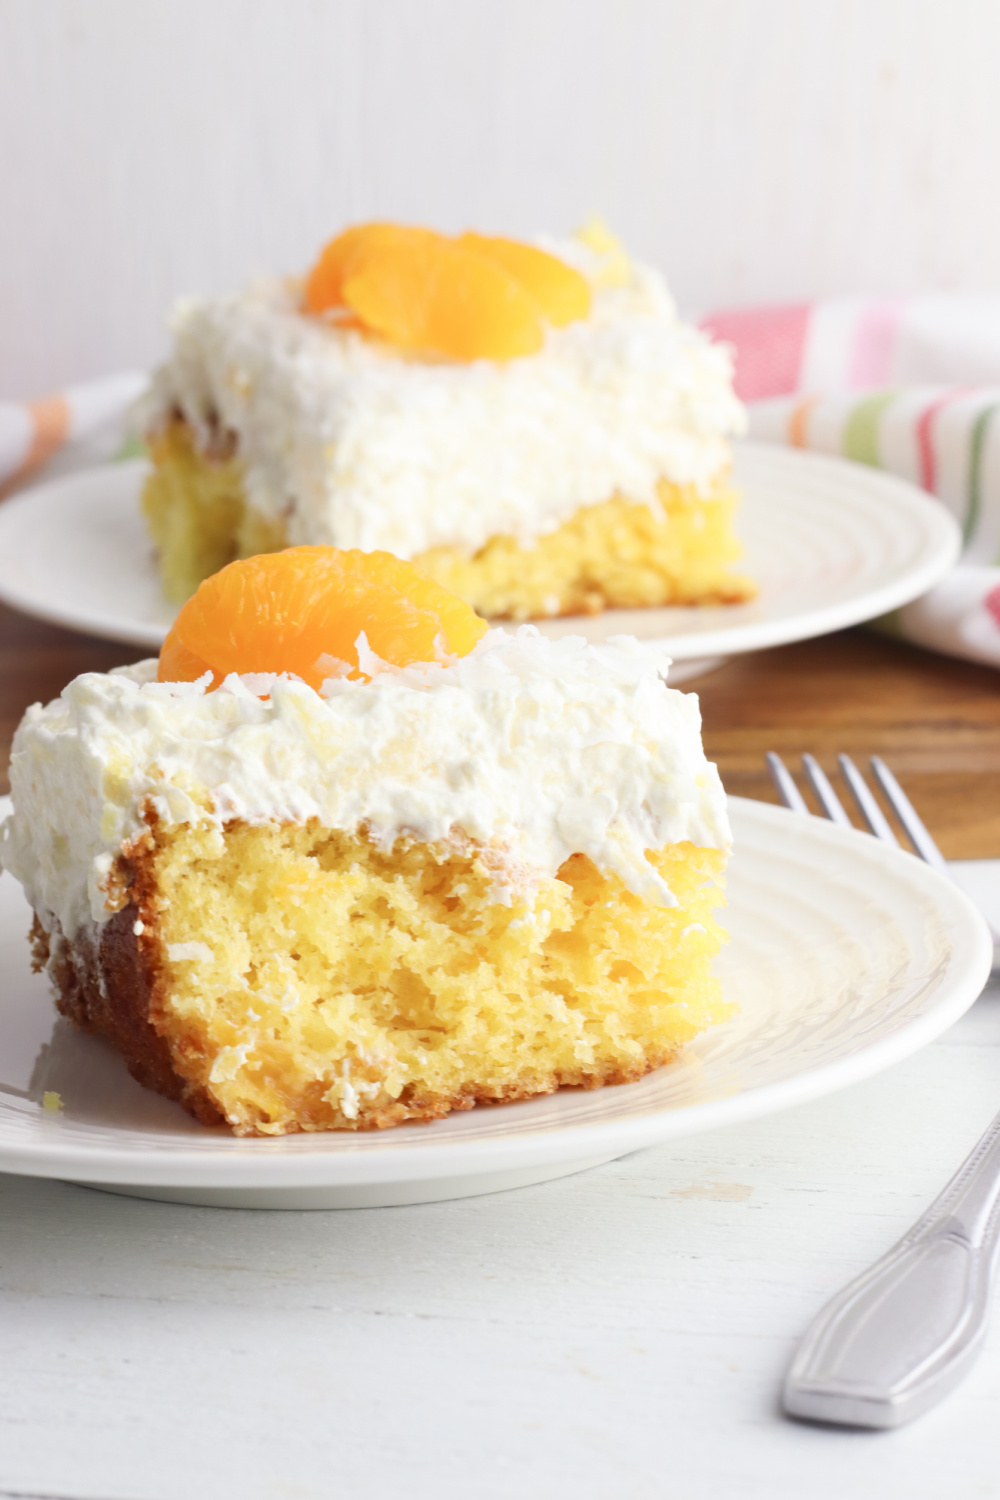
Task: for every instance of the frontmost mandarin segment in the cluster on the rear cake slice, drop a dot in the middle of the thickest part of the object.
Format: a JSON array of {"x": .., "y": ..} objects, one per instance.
[{"x": 440, "y": 296}]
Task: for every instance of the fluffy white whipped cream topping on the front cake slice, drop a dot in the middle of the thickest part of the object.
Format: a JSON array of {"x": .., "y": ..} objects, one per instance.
[{"x": 539, "y": 749}]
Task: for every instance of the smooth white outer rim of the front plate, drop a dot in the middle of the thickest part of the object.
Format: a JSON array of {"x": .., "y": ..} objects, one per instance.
[{"x": 254, "y": 1165}]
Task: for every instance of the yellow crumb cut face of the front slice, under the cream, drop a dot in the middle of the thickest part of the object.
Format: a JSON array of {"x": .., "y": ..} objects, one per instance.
[{"x": 308, "y": 982}]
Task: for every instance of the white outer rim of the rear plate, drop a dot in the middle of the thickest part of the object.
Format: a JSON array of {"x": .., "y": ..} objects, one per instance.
[{"x": 939, "y": 551}]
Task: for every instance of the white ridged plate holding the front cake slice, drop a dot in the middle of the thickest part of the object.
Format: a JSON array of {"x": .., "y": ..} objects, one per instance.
[{"x": 846, "y": 956}]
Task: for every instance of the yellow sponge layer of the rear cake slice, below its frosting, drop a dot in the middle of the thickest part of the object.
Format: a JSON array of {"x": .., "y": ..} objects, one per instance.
[{"x": 614, "y": 556}]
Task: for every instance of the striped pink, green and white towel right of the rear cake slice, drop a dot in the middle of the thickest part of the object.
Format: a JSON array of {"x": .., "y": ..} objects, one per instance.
[{"x": 911, "y": 386}]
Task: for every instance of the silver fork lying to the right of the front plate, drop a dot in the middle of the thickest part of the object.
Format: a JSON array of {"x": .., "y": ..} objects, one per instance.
[{"x": 903, "y": 1334}]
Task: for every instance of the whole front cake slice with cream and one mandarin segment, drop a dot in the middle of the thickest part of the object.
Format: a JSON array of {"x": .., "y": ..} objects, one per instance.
[{"x": 343, "y": 860}]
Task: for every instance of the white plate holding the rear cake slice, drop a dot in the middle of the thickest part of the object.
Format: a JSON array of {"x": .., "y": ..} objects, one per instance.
[{"x": 831, "y": 544}]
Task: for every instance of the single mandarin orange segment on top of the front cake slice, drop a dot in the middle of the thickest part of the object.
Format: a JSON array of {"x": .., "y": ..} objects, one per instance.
[{"x": 304, "y": 610}]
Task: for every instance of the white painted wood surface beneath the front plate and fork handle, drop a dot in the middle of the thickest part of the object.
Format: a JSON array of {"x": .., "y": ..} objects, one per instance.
[{"x": 618, "y": 1334}]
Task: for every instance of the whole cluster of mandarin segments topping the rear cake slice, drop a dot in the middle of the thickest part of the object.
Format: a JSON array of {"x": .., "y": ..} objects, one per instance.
[{"x": 461, "y": 299}]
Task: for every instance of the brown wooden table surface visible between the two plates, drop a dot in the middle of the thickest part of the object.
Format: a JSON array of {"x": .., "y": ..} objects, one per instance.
[{"x": 935, "y": 719}]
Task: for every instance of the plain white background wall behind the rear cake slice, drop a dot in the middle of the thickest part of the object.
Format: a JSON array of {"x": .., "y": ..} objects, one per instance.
[{"x": 756, "y": 149}]
